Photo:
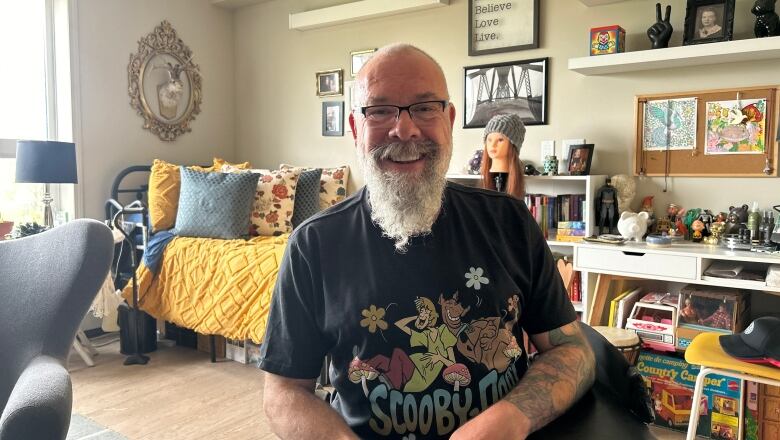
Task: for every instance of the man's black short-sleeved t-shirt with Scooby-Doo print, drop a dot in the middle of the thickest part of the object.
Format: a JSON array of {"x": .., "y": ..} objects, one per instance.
[{"x": 420, "y": 342}]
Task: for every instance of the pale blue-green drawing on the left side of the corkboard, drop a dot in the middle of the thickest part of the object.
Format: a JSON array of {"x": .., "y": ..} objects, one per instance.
[{"x": 670, "y": 124}]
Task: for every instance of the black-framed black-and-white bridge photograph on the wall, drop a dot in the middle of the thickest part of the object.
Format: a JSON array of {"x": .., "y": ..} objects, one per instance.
[{"x": 518, "y": 87}]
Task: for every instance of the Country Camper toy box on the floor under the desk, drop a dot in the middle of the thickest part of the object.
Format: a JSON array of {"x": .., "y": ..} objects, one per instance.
[{"x": 670, "y": 381}]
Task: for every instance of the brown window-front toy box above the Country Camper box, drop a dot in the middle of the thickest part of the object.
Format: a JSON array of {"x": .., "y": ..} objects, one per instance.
[{"x": 711, "y": 309}]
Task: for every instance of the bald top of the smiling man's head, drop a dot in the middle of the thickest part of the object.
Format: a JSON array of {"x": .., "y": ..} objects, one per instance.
[{"x": 398, "y": 56}]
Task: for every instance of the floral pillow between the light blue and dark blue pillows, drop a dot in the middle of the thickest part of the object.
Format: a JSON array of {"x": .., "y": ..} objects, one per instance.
[{"x": 274, "y": 201}]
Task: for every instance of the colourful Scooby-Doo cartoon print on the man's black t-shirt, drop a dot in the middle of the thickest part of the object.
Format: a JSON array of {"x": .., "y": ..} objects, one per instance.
[{"x": 459, "y": 359}]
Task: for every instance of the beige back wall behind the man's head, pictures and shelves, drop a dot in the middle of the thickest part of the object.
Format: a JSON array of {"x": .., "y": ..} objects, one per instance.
[{"x": 279, "y": 116}]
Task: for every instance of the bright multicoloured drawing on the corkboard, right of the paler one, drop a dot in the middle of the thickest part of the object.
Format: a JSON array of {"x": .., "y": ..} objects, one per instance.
[{"x": 736, "y": 127}]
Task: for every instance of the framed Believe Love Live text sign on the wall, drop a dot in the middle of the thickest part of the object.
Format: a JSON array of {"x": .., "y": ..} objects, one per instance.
[{"x": 509, "y": 26}]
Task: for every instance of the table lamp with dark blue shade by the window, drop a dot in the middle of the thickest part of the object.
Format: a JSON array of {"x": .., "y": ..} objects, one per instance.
[{"x": 46, "y": 162}]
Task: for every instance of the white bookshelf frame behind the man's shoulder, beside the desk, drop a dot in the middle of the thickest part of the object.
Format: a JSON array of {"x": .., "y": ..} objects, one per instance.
[{"x": 554, "y": 186}]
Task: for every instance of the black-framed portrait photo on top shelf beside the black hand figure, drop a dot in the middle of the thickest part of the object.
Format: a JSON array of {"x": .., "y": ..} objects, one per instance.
[{"x": 708, "y": 21}]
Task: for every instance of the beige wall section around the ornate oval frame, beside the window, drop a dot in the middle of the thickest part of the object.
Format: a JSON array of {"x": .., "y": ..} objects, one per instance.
[{"x": 112, "y": 136}]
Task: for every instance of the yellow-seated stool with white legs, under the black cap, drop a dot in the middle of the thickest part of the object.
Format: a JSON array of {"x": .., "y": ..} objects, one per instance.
[{"x": 705, "y": 350}]
